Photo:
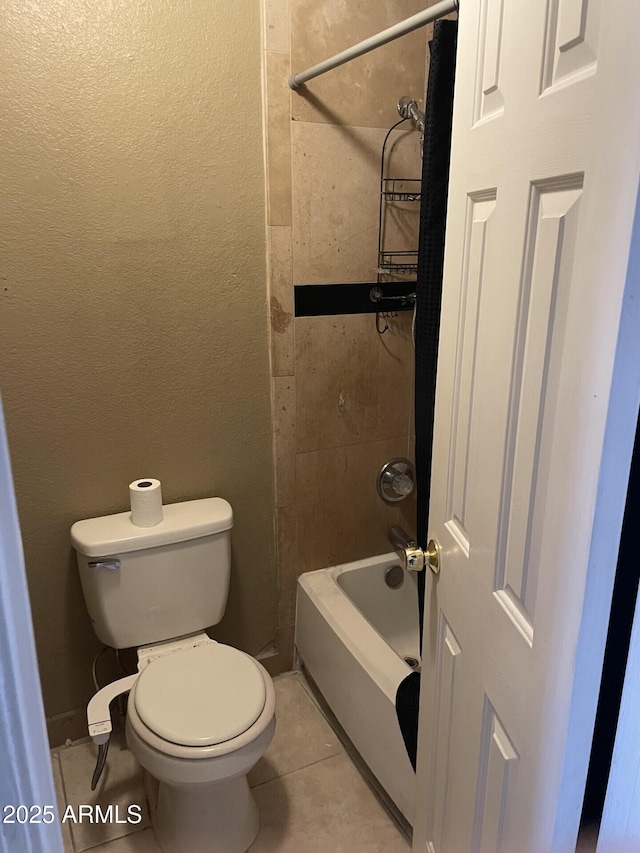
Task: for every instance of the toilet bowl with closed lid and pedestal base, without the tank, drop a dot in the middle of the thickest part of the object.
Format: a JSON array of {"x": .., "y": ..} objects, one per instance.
[{"x": 203, "y": 797}]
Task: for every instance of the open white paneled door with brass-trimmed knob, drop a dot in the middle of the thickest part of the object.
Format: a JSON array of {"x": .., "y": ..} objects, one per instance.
[{"x": 536, "y": 406}]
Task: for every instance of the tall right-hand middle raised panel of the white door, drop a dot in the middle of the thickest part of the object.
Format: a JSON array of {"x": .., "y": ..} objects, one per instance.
[{"x": 547, "y": 266}]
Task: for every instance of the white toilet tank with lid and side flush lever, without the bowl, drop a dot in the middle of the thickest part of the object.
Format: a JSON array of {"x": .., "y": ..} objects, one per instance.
[{"x": 147, "y": 584}]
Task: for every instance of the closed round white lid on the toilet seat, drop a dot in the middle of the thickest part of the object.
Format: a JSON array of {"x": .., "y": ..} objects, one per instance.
[{"x": 200, "y": 696}]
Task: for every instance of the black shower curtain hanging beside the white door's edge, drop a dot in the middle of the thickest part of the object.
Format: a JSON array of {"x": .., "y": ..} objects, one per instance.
[{"x": 433, "y": 213}]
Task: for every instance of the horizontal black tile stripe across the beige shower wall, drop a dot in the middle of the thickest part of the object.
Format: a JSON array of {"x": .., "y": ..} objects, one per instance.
[{"x": 316, "y": 300}]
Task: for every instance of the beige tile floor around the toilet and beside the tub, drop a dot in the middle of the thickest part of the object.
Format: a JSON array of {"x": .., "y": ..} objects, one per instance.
[{"x": 311, "y": 797}]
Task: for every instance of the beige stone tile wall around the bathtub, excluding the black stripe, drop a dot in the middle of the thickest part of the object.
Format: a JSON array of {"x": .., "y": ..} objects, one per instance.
[{"x": 342, "y": 395}]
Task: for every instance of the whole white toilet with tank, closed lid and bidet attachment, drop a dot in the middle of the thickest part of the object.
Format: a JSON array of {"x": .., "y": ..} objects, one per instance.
[{"x": 200, "y": 714}]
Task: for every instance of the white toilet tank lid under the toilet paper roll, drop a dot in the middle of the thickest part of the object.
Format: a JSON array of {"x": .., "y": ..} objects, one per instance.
[{"x": 115, "y": 534}]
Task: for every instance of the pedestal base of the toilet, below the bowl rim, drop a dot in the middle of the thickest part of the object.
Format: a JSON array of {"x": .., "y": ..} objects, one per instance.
[{"x": 221, "y": 817}]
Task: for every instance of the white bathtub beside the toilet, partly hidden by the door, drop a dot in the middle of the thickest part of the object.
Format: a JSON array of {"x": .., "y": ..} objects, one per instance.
[{"x": 352, "y": 633}]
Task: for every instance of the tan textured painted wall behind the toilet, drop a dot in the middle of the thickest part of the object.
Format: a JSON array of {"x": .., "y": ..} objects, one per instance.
[{"x": 133, "y": 331}]
